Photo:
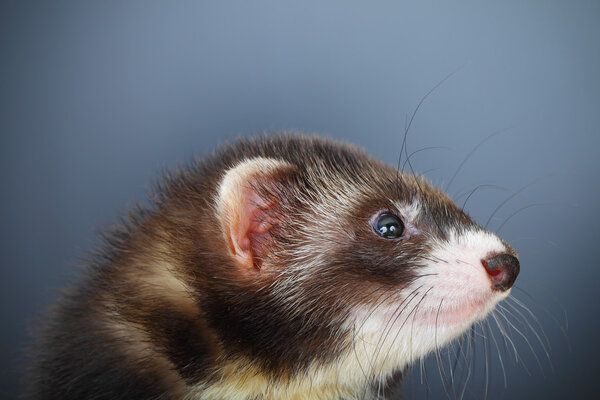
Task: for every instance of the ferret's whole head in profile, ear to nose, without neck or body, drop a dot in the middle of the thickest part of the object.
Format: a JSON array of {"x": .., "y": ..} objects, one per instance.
[{"x": 341, "y": 261}]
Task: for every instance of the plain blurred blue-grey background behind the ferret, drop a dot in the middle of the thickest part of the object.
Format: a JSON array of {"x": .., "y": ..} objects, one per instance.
[{"x": 96, "y": 98}]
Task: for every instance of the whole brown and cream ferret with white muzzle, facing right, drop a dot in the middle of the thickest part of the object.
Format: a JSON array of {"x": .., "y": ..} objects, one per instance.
[{"x": 279, "y": 267}]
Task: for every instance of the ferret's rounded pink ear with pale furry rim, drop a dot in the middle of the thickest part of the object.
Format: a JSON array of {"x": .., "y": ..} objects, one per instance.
[{"x": 248, "y": 205}]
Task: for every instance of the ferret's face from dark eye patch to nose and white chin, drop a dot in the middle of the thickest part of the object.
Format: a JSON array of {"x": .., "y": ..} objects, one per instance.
[{"x": 437, "y": 261}]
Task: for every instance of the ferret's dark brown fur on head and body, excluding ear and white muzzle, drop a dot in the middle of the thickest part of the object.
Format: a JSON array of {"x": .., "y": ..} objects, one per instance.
[{"x": 119, "y": 334}]
